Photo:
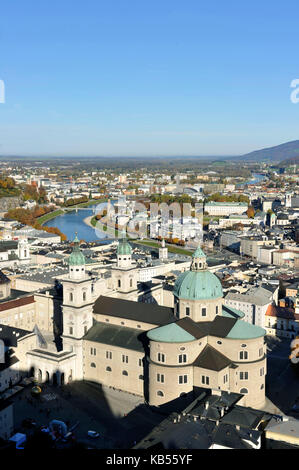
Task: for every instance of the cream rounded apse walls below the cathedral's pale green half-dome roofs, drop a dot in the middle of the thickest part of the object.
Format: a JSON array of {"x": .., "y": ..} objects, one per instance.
[{"x": 171, "y": 369}]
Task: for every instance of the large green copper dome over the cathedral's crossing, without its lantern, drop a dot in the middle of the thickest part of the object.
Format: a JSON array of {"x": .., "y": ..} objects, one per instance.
[{"x": 198, "y": 285}]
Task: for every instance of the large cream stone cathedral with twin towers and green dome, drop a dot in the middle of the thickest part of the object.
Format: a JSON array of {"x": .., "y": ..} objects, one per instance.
[{"x": 157, "y": 352}]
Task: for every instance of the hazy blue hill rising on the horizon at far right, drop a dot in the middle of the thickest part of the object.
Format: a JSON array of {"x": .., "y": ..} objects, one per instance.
[{"x": 279, "y": 153}]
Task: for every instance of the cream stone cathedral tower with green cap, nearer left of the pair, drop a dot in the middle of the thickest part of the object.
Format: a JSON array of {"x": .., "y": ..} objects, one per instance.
[{"x": 77, "y": 306}]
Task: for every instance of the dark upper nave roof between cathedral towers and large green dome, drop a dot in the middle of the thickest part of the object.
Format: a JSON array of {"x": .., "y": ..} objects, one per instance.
[{"x": 137, "y": 311}]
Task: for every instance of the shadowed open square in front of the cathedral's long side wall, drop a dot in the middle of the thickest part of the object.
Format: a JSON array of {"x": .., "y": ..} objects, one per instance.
[{"x": 120, "y": 418}]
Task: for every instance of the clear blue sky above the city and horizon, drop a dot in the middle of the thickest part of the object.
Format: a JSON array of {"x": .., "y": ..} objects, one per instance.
[{"x": 147, "y": 77}]
